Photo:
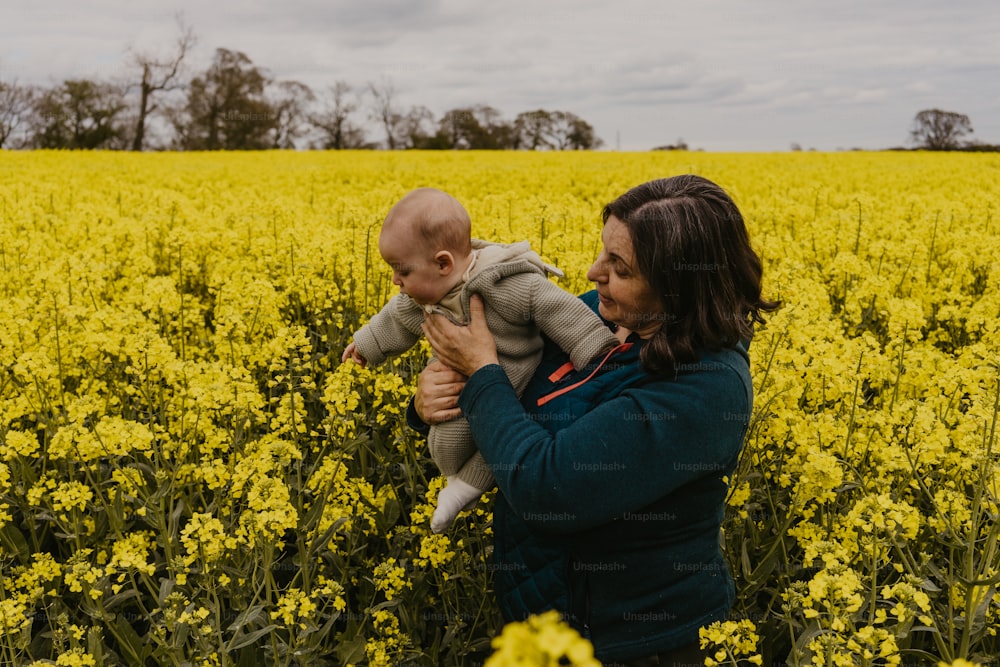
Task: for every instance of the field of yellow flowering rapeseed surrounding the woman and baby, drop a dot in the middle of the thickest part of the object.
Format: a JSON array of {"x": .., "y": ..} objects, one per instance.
[{"x": 189, "y": 475}]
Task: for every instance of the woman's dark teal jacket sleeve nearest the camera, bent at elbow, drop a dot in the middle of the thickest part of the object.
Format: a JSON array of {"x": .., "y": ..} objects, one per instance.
[{"x": 626, "y": 453}]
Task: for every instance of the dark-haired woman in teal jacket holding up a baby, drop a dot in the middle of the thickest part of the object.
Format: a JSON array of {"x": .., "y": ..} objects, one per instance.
[{"x": 612, "y": 479}]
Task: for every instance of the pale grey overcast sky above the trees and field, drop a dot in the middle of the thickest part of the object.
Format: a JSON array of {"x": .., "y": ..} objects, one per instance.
[{"x": 723, "y": 75}]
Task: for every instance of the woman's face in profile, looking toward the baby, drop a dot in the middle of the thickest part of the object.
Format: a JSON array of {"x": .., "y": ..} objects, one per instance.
[{"x": 626, "y": 297}]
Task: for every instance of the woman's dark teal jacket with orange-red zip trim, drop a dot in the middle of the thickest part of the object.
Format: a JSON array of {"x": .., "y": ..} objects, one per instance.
[{"x": 612, "y": 493}]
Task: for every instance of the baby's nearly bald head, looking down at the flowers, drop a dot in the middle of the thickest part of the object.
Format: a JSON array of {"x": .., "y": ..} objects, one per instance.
[{"x": 426, "y": 239}]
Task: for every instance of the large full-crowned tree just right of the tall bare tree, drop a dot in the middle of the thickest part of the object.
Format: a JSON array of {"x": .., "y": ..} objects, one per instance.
[{"x": 226, "y": 107}]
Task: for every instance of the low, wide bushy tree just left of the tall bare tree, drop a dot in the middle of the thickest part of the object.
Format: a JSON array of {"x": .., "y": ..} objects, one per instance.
[{"x": 78, "y": 114}]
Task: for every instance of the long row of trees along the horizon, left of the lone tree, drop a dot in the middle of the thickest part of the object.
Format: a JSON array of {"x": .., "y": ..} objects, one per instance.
[{"x": 235, "y": 105}]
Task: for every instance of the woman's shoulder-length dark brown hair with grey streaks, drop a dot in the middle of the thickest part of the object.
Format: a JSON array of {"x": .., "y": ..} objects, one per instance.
[{"x": 692, "y": 246}]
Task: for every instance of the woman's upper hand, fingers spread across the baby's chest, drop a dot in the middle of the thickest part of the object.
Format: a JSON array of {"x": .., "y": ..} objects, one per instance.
[{"x": 464, "y": 349}]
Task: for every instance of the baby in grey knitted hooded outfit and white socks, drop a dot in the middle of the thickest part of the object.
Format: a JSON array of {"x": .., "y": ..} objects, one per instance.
[{"x": 426, "y": 239}]
